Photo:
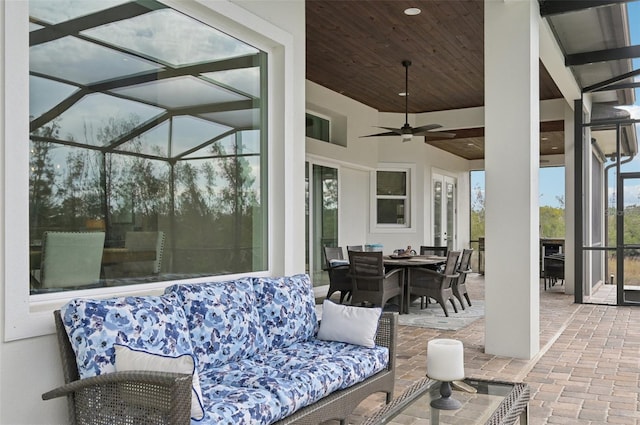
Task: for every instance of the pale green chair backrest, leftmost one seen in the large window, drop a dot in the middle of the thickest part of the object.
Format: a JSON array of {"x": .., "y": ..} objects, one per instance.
[{"x": 71, "y": 258}]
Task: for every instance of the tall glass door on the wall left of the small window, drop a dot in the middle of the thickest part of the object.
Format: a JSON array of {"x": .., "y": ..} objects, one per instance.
[{"x": 322, "y": 218}]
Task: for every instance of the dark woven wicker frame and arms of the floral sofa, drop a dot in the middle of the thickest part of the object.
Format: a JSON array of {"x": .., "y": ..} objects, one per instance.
[{"x": 140, "y": 397}]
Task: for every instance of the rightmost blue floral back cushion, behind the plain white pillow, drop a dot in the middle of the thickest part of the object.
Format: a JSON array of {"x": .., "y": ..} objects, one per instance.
[{"x": 287, "y": 309}]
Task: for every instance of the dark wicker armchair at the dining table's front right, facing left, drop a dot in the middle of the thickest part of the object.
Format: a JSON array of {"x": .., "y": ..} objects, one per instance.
[{"x": 432, "y": 284}]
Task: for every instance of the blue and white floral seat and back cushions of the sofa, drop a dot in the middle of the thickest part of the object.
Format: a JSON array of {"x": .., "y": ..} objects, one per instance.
[{"x": 253, "y": 340}]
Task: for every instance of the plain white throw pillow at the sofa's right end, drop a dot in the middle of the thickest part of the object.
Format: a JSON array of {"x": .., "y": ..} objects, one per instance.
[{"x": 353, "y": 325}]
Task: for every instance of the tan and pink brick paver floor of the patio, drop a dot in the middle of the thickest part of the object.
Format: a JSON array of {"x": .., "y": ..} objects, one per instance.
[{"x": 587, "y": 371}]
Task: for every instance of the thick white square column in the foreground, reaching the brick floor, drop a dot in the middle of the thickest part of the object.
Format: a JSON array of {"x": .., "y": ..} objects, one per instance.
[{"x": 511, "y": 171}]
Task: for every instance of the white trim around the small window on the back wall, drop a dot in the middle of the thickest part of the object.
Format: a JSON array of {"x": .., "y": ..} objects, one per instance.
[{"x": 410, "y": 209}]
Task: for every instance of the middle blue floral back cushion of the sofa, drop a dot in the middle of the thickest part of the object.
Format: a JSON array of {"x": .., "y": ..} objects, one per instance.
[{"x": 223, "y": 321}]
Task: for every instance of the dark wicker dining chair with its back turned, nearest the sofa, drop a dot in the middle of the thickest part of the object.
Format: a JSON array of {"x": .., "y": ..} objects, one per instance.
[{"x": 370, "y": 283}]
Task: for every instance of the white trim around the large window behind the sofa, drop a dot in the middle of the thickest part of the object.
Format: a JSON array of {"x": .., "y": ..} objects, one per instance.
[{"x": 27, "y": 316}]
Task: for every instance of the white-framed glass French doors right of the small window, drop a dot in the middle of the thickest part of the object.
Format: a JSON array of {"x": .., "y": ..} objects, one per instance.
[{"x": 443, "y": 213}]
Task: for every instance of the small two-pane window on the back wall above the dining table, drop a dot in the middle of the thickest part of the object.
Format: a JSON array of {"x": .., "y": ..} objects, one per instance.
[{"x": 392, "y": 198}]
